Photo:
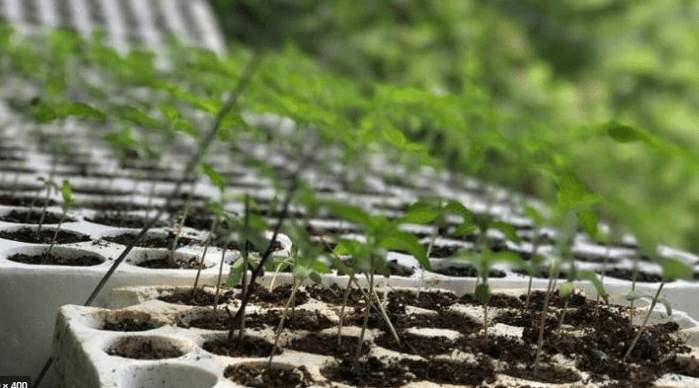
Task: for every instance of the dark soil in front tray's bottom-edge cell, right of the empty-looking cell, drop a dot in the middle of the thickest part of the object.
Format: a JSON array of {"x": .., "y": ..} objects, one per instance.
[{"x": 261, "y": 376}]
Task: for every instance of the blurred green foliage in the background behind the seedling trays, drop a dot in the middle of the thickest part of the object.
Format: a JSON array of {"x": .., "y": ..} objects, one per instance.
[{"x": 530, "y": 76}]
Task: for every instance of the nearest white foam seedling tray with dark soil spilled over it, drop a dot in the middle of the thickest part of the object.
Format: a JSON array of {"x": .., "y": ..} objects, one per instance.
[{"x": 171, "y": 344}]
